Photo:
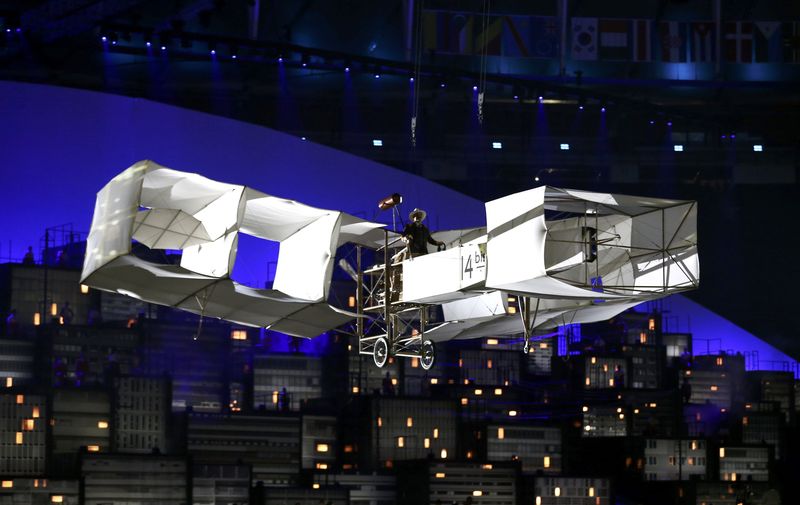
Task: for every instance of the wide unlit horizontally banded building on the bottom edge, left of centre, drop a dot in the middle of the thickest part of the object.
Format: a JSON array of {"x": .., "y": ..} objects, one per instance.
[{"x": 128, "y": 478}]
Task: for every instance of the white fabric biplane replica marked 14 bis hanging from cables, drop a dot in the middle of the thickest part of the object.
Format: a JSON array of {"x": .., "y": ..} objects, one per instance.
[{"x": 562, "y": 256}]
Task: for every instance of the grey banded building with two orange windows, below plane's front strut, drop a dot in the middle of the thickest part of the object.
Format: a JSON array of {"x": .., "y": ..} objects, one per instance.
[{"x": 537, "y": 448}]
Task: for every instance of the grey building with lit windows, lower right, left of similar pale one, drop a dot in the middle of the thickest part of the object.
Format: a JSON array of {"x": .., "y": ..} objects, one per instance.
[{"x": 675, "y": 459}]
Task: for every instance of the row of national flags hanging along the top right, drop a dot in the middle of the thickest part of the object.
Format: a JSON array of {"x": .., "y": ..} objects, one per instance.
[{"x": 639, "y": 40}]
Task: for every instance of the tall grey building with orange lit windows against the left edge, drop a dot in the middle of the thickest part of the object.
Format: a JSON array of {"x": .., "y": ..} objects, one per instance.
[{"x": 23, "y": 419}]
